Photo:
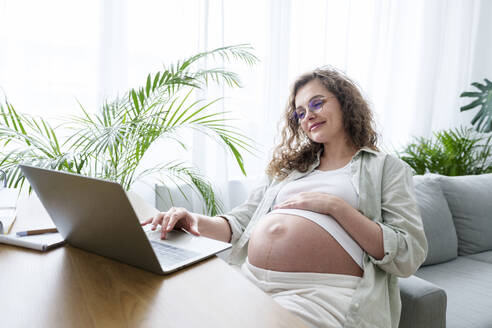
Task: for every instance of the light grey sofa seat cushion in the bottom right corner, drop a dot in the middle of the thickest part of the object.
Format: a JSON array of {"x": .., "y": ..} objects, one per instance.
[{"x": 467, "y": 284}]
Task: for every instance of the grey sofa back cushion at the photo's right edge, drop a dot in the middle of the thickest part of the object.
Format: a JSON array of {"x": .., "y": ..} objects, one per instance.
[{"x": 470, "y": 202}]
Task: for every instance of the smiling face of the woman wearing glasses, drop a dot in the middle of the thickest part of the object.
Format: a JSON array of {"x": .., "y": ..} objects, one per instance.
[{"x": 324, "y": 122}]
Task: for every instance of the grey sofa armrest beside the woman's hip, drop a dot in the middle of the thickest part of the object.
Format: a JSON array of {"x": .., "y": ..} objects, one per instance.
[{"x": 423, "y": 304}]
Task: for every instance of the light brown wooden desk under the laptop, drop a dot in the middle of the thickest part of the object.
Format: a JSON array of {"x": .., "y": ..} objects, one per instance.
[{"x": 68, "y": 287}]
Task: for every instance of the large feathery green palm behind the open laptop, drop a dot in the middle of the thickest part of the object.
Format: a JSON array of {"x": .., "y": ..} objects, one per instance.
[{"x": 111, "y": 143}]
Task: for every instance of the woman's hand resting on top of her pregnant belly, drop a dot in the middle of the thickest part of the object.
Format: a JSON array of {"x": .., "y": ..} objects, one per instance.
[{"x": 315, "y": 202}]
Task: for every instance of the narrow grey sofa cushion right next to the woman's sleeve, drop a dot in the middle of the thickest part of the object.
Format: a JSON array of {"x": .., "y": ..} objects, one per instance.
[{"x": 436, "y": 217}]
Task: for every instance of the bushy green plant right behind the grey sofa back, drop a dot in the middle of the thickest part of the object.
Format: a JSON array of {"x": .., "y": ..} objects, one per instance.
[{"x": 453, "y": 152}]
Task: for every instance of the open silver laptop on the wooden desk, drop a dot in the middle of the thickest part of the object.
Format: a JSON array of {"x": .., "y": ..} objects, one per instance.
[{"x": 100, "y": 217}]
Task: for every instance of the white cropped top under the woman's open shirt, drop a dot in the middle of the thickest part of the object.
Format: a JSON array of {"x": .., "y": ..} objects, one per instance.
[{"x": 337, "y": 182}]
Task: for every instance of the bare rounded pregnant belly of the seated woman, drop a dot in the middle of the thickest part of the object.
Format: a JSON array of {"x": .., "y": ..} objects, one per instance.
[{"x": 291, "y": 243}]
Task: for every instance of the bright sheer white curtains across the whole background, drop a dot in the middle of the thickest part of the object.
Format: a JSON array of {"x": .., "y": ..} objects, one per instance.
[{"x": 412, "y": 59}]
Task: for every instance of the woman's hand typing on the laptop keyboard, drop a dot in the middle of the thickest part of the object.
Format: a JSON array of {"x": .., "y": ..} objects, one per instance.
[{"x": 175, "y": 217}]
